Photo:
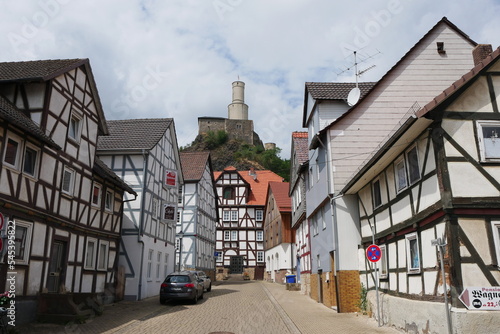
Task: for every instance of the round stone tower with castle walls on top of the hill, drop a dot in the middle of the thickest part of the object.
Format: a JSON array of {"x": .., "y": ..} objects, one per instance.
[{"x": 237, "y": 125}]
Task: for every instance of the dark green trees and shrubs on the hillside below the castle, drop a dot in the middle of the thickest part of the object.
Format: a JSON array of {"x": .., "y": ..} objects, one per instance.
[{"x": 227, "y": 152}]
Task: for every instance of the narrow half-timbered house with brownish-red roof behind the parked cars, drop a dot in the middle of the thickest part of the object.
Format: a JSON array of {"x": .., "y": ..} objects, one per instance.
[{"x": 198, "y": 214}]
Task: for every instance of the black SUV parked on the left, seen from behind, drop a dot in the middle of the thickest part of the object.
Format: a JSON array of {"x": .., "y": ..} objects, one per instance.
[{"x": 181, "y": 285}]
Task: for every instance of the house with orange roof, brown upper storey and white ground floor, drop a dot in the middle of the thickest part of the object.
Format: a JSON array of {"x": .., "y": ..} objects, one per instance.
[{"x": 278, "y": 236}]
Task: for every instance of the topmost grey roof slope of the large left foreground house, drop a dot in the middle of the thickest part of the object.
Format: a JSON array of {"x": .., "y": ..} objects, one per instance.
[{"x": 37, "y": 70}]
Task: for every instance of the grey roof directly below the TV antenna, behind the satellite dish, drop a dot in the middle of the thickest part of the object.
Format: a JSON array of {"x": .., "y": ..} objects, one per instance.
[{"x": 336, "y": 90}]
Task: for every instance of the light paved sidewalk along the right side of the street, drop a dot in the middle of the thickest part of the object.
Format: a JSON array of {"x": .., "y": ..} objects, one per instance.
[{"x": 311, "y": 317}]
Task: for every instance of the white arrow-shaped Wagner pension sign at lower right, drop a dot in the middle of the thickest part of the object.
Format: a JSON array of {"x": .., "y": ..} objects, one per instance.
[{"x": 481, "y": 298}]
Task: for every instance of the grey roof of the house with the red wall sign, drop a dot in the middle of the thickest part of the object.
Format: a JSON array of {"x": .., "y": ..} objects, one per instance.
[{"x": 133, "y": 134}]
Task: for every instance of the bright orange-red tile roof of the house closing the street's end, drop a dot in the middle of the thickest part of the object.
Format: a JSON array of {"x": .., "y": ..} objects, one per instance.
[{"x": 258, "y": 187}]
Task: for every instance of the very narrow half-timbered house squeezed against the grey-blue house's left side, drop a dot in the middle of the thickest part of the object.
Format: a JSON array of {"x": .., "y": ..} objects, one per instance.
[{"x": 300, "y": 225}]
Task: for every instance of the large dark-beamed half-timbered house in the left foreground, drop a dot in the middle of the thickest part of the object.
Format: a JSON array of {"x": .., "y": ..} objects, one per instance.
[{"x": 63, "y": 203}]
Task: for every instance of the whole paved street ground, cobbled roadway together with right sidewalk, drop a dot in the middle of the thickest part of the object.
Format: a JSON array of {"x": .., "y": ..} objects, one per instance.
[{"x": 233, "y": 307}]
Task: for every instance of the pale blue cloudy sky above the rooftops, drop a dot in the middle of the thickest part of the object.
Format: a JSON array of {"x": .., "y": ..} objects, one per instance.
[{"x": 178, "y": 58}]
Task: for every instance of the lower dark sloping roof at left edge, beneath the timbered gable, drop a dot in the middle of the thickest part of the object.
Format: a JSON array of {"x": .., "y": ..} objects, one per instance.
[{"x": 14, "y": 116}]
